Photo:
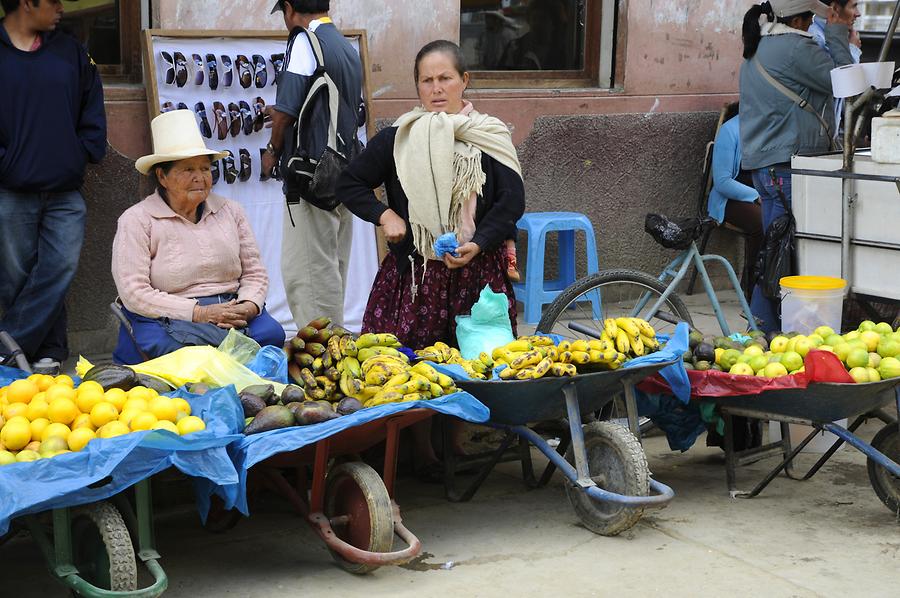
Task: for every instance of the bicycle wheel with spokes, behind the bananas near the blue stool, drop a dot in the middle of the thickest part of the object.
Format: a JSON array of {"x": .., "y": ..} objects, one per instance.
[{"x": 611, "y": 294}]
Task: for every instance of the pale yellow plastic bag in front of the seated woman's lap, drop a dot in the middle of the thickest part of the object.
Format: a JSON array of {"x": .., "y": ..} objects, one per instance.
[{"x": 196, "y": 364}]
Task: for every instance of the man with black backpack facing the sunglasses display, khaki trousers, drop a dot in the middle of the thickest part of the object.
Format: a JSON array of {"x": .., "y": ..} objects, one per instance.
[{"x": 318, "y": 229}]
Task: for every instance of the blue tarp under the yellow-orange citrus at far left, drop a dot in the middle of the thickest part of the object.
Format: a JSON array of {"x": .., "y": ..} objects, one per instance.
[{"x": 64, "y": 480}]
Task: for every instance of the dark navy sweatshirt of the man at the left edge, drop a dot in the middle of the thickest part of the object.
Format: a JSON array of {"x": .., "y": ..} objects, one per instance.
[{"x": 52, "y": 121}]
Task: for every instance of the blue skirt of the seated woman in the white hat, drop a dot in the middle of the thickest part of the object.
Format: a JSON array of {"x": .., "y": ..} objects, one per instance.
[{"x": 155, "y": 335}]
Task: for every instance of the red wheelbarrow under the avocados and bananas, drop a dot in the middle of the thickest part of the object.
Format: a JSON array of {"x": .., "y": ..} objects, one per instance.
[{"x": 346, "y": 502}]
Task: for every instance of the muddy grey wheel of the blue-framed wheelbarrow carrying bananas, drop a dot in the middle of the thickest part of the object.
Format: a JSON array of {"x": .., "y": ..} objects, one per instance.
[{"x": 617, "y": 463}]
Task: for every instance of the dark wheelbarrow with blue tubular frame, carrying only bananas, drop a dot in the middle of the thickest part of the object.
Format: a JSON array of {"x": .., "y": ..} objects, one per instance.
[{"x": 609, "y": 482}]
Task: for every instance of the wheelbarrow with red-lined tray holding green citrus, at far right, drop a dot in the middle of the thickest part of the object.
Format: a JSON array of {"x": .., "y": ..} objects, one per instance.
[{"x": 820, "y": 405}]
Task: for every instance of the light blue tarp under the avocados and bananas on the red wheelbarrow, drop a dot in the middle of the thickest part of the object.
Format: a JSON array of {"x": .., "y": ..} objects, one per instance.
[{"x": 250, "y": 450}]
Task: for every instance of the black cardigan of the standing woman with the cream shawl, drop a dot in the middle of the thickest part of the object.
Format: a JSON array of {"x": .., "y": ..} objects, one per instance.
[{"x": 499, "y": 207}]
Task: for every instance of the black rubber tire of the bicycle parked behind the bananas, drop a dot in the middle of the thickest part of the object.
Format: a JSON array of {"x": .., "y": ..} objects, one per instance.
[{"x": 551, "y": 319}]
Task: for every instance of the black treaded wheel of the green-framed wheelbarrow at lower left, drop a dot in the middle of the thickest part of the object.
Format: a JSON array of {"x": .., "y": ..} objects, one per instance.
[{"x": 103, "y": 552}]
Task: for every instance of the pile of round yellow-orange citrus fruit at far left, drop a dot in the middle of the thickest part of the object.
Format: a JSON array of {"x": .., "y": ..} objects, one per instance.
[{"x": 43, "y": 416}]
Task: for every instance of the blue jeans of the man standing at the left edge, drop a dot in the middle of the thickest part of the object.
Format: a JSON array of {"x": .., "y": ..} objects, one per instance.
[{"x": 40, "y": 242}]
